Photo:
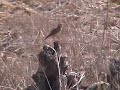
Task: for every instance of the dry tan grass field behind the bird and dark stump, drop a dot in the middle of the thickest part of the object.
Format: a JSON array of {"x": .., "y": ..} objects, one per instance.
[{"x": 90, "y": 36}]
